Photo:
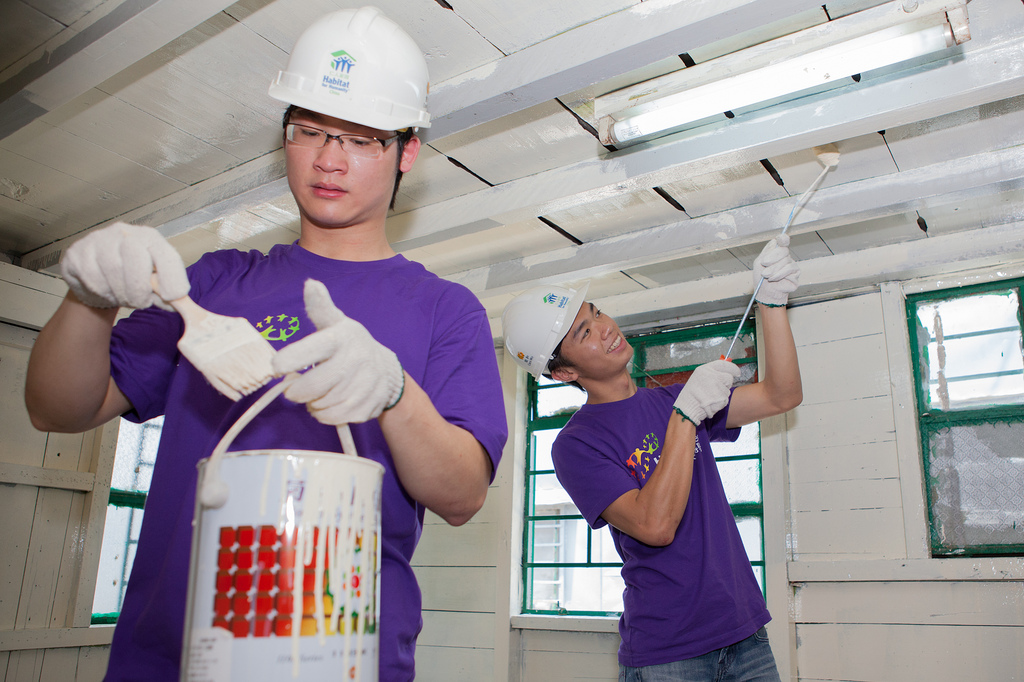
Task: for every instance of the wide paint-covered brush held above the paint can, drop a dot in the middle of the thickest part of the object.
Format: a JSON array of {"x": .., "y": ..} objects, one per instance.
[{"x": 230, "y": 353}]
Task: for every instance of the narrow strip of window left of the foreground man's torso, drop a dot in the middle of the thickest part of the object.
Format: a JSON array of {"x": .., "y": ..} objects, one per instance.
[{"x": 134, "y": 462}]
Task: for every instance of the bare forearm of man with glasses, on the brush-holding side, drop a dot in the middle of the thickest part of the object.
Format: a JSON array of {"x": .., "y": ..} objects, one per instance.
[{"x": 69, "y": 387}]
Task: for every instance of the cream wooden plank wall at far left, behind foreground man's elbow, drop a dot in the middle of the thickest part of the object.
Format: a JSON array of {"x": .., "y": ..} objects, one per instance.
[{"x": 49, "y": 495}]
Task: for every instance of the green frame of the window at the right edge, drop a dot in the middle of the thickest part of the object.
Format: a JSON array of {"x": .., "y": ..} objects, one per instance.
[{"x": 929, "y": 421}]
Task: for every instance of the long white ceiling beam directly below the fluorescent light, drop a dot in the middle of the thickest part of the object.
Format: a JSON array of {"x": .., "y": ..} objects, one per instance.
[{"x": 980, "y": 76}]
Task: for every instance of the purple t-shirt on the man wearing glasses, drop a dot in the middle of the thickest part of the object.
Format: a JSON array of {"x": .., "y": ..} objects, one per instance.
[{"x": 439, "y": 331}]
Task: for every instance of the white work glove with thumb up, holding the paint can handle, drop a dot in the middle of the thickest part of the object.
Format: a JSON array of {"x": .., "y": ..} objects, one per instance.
[{"x": 353, "y": 379}]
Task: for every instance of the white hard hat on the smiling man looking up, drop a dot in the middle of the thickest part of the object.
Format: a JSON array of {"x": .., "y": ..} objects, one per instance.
[{"x": 536, "y": 322}]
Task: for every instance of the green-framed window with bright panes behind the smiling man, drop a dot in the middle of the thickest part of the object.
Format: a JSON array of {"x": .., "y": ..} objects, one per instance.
[{"x": 568, "y": 568}]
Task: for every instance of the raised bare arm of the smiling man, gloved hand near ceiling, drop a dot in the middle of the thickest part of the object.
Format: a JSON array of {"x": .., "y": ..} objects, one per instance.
[{"x": 780, "y": 390}]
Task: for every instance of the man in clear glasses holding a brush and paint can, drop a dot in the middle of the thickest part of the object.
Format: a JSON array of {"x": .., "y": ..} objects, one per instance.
[{"x": 405, "y": 357}]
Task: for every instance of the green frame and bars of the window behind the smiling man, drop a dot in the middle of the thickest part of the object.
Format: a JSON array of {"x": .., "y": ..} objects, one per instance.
[{"x": 534, "y": 423}]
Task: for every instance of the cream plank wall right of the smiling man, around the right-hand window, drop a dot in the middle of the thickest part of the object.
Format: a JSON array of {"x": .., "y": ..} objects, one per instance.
[{"x": 868, "y": 603}]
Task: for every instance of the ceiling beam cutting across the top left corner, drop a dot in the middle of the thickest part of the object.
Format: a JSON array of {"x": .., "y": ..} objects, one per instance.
[{"x": 103, "y": 44}]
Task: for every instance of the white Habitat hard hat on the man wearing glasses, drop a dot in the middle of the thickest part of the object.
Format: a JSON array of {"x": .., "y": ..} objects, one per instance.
[{"x": 359, "y": 66}]
